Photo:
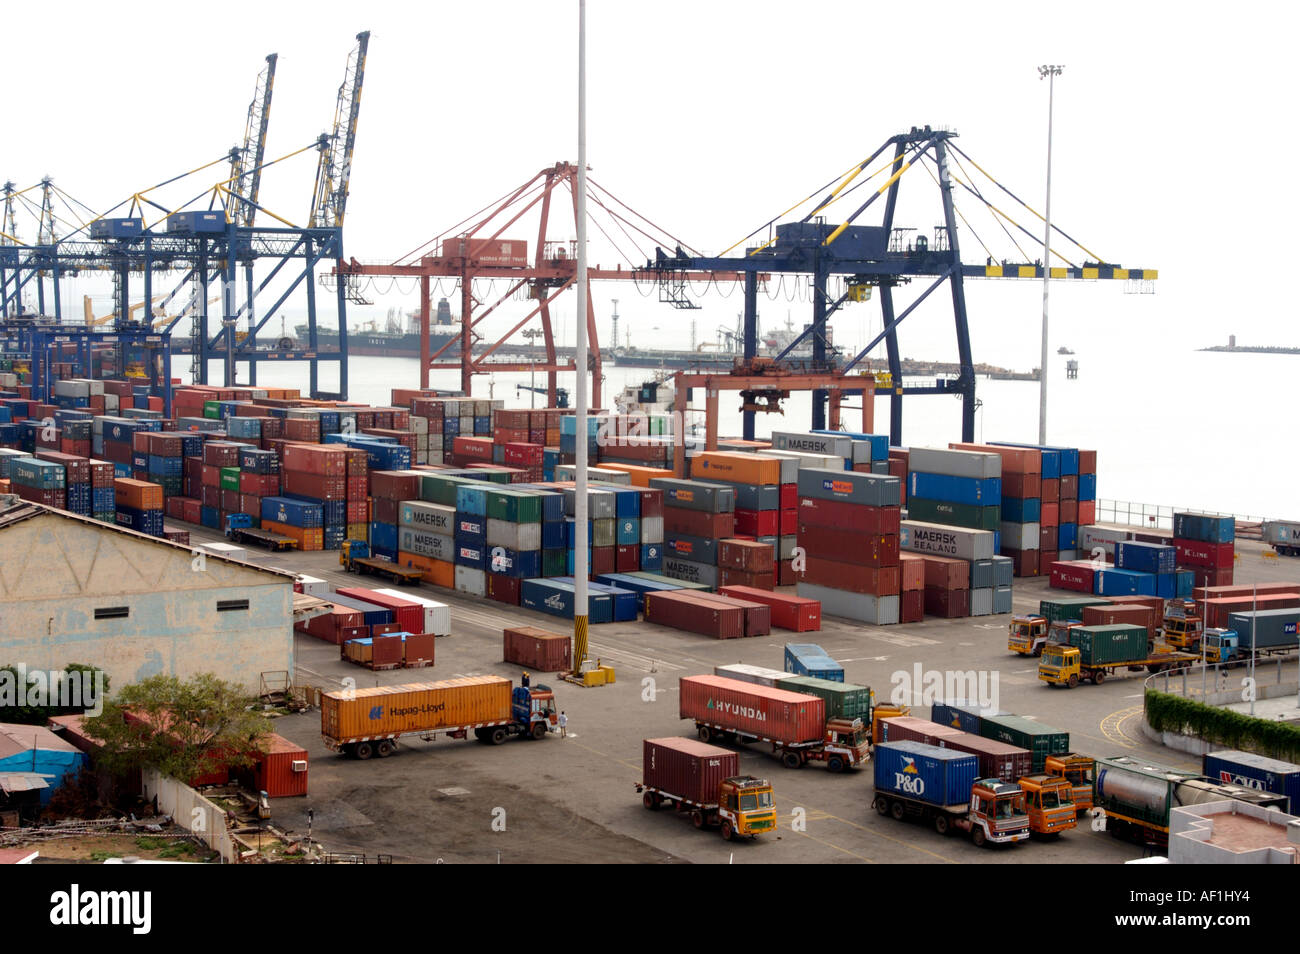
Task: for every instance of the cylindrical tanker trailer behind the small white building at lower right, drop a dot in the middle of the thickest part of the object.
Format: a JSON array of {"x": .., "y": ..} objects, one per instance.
[{"x": 1138, "y": 796}]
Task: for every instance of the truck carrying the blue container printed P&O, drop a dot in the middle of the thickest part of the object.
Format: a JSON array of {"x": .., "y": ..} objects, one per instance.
[{"x": 942, "y": 787}]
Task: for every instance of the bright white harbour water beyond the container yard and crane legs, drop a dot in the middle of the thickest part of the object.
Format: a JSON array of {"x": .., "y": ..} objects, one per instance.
[{"x": 1206, "y": 431}]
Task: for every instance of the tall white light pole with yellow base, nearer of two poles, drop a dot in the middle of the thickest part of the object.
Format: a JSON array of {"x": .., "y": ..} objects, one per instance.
[{"x": 580, "y": 556}]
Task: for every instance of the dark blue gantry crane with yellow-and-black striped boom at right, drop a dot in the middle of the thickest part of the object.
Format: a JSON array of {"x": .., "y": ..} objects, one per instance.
[{"x": 882, "y": 258}]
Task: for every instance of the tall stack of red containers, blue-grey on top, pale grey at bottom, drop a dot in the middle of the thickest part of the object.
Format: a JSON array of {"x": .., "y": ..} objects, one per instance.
[{"x": 850, "y": 532}]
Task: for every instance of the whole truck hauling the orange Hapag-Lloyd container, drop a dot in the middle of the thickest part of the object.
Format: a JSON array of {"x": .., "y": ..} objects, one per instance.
[{"x": 362, "y": 723}]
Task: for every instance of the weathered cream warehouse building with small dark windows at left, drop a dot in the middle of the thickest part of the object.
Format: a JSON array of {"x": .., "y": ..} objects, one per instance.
[{"x": 77, "y": 591}]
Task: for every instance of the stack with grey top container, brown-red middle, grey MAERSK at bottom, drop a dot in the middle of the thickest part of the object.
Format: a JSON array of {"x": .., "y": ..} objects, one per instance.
[{"x": 696, "y": 515}]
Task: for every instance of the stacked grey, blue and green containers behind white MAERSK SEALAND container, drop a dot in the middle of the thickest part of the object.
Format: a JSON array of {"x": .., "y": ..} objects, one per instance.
[{"x": 956, "y": 488}]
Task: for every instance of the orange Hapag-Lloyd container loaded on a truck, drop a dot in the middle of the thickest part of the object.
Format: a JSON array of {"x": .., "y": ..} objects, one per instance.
[{"x": 389, "y": 712}]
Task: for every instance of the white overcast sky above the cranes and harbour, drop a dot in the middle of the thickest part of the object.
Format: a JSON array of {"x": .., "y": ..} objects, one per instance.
[{"x": 713, "y": 118}]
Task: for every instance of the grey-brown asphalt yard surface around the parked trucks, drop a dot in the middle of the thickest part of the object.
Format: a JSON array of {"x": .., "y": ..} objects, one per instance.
[{"x": 574, "y": 800}]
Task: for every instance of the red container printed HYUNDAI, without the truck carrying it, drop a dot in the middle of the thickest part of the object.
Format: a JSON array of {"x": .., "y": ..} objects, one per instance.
[{"x": 766, "y": 714}]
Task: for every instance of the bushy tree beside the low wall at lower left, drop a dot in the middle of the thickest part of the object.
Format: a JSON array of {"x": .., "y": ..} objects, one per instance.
[{"x": 183, "y": 728}]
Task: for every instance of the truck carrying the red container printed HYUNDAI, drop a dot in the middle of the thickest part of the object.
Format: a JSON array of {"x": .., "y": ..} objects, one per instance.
[{"x": 795, "y": 725}]
